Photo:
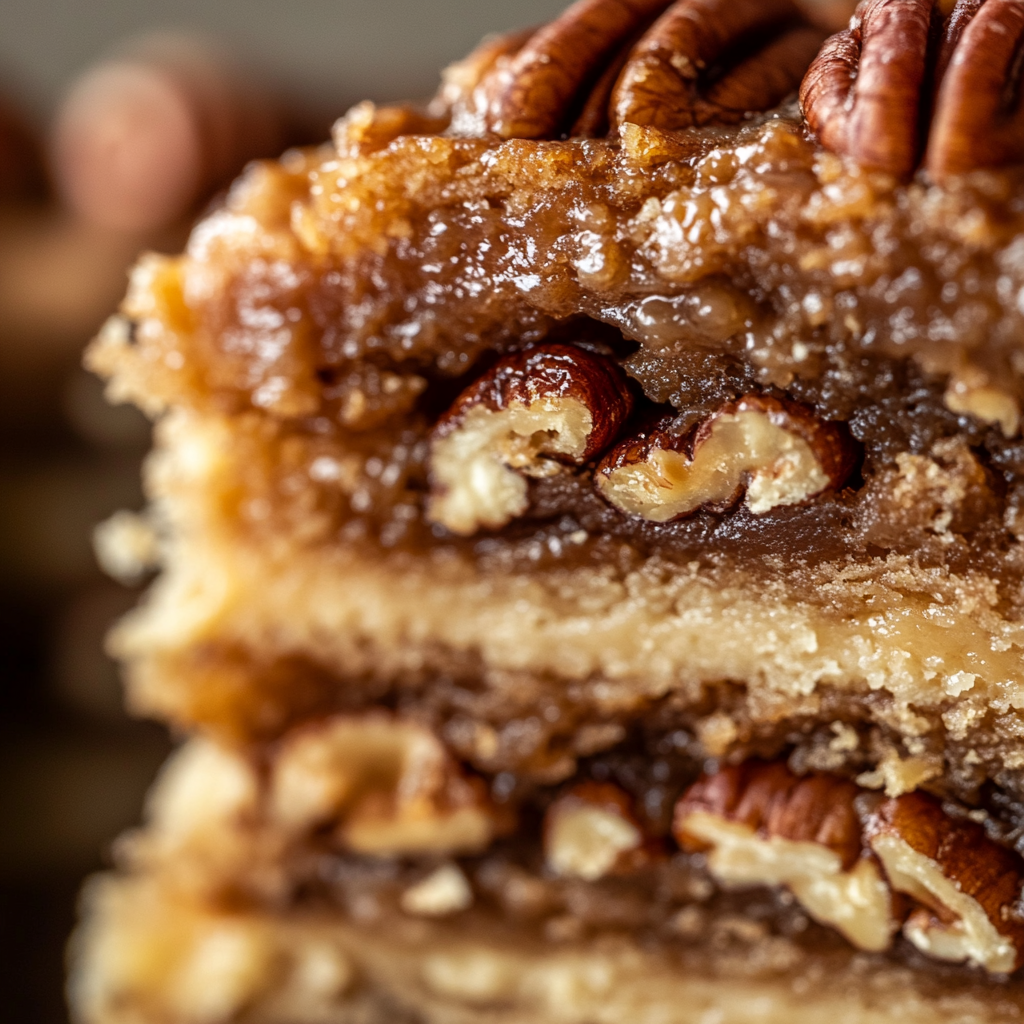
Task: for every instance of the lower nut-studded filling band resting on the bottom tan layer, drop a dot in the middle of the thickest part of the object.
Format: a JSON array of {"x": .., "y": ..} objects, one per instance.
[{"x": 884, "y": 874}]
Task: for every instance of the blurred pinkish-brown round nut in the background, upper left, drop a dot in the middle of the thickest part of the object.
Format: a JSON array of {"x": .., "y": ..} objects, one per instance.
[{"x": 154, "y": 131}]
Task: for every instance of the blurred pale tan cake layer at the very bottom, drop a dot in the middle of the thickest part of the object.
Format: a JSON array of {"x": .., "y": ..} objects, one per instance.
[{"x": 148, "y": 956}]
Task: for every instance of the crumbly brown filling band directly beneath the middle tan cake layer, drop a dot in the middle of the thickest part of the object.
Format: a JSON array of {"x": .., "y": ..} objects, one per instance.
[{"x": 534, "y": 732}]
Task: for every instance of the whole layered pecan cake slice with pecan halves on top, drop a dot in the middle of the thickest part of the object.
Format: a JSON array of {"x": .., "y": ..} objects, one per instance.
[{"x": 591, "y": 519}]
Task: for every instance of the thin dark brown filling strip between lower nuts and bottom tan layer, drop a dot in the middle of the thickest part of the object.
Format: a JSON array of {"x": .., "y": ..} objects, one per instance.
[{"x": 671, "y": 908}]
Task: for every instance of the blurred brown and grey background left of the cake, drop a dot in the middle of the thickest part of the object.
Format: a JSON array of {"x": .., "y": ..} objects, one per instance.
[{"x": 119, "y": 120}]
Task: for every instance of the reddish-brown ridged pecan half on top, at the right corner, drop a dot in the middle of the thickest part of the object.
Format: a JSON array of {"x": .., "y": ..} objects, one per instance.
[{"x": 903, "y": 87}]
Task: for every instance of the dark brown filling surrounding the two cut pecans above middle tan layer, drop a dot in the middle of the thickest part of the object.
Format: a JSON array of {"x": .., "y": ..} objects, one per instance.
[{"x": 926, "y": 484}]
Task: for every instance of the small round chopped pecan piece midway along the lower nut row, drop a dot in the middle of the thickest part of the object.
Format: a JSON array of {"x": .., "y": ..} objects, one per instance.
[{"x": 591, "y": 832}]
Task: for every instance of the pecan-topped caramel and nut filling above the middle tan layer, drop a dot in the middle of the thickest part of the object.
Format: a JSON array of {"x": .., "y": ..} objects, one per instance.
[{"x": 759, "y": 292}]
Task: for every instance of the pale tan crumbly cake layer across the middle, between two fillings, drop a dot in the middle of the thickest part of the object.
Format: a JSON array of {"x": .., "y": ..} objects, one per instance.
[{"x": 926, "y": 641}]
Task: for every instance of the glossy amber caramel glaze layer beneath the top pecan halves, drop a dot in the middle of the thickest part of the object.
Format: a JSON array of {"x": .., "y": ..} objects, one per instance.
[{"x": 417, "y": 251}]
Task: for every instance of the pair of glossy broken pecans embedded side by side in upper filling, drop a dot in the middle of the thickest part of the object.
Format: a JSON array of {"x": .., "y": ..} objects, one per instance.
[{"x": 557, "y": 406}]
